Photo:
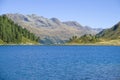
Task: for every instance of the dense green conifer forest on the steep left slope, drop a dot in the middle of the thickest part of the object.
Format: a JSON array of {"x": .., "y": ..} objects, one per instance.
[{"x": 12, "y": 33}]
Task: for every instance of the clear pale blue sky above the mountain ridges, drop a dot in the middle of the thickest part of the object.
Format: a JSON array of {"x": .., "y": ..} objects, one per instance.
[{"x": 93, "y": 13}]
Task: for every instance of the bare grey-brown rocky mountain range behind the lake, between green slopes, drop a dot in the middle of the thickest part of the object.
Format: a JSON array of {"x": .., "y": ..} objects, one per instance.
[{"x": 51, "y": 30}]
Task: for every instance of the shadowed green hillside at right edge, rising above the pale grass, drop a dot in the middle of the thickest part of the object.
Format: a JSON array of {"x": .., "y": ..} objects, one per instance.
[{"x": 111, "y": 33}]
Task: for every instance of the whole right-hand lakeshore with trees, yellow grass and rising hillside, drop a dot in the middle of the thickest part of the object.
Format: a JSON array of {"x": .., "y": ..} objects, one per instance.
[{"x": 109, "y": 36}]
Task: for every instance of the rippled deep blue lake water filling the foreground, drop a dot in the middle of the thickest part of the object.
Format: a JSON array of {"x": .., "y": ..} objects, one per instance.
[{"x": 59, "y": 63}]
